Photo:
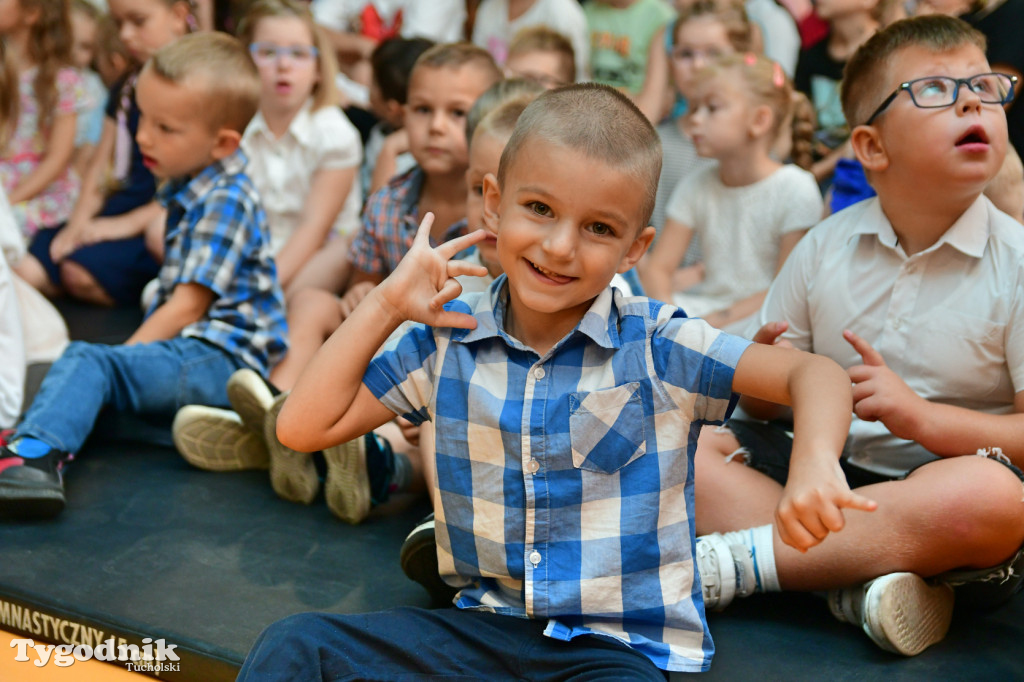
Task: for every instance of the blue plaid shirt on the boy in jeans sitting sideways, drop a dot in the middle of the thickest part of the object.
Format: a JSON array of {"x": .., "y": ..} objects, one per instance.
[{"x": 218, "y": 237}]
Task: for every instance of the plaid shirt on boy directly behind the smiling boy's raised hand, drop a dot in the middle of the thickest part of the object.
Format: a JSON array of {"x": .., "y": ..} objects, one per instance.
[{"x": 390, "y": 224}]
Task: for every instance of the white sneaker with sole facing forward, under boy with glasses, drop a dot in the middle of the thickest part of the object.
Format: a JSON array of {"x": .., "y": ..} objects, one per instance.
[{"x": 901, "y": 613}]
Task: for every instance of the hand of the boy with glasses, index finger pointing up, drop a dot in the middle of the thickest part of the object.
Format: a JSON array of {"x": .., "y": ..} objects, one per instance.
[{"x": 879, "y": 395}]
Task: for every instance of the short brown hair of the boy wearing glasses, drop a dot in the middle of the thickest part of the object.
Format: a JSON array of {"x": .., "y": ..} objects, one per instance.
[{"x": 865, "y": 79}]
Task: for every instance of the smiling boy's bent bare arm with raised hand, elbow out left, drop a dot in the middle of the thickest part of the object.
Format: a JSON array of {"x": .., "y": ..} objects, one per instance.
[{"x": 330, "y": 404}]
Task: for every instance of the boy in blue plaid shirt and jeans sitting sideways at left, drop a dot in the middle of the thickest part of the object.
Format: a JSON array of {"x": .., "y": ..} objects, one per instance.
[{"x": 220, "y": 307}]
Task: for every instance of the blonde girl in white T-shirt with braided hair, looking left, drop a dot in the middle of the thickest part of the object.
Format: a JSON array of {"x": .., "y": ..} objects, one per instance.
[{"x": 749, "y": 210}]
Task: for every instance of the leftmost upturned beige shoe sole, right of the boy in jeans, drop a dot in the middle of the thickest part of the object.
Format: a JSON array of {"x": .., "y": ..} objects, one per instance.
[{"x": 217, "y": 441}]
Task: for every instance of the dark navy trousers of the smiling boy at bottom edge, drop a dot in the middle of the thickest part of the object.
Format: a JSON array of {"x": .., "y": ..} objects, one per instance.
[{"x": 411, "y": 644}]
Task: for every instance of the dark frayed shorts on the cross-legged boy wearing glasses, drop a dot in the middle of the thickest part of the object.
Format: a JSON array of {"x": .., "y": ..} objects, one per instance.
[{"x": 767, "y": 448}]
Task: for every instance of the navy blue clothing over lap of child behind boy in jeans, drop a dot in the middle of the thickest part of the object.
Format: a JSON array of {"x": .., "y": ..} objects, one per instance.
[{"x": 122, "y": 268}]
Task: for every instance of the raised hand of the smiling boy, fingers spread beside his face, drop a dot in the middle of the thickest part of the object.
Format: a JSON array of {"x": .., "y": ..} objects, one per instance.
[{"x": 424, "y": 281}]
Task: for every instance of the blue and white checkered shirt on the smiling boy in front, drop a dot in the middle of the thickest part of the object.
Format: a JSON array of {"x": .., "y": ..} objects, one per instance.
[{"x": 566, "y": 482}]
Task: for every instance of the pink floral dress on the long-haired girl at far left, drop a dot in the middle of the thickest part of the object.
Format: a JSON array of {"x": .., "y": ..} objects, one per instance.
[{"x": 27, "y": 148}]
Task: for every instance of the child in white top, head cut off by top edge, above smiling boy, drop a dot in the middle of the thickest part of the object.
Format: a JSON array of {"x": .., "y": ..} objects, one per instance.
[{"x": 499, "y": 22}]
